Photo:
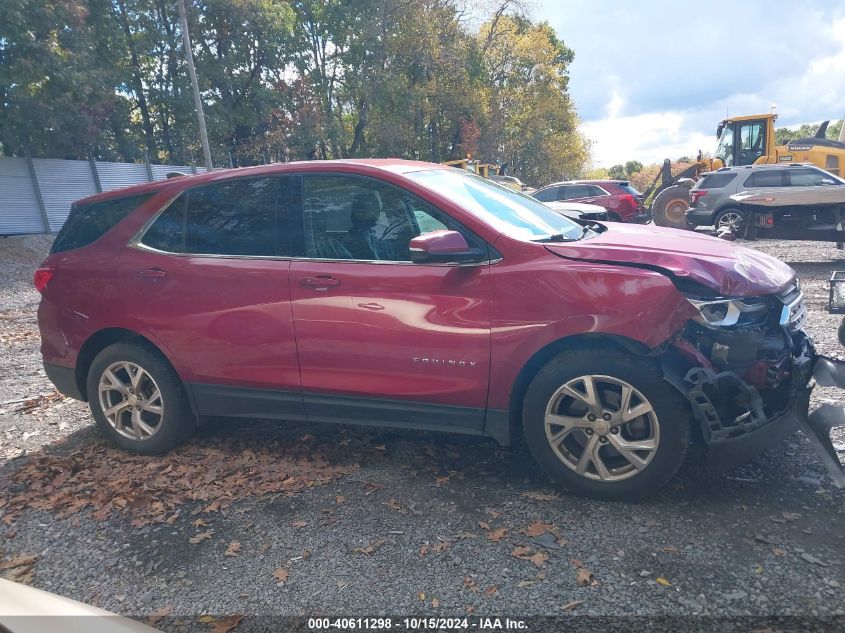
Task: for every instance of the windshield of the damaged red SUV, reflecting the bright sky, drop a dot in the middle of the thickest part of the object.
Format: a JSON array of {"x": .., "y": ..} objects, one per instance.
[{"x": 511, "y": 212}]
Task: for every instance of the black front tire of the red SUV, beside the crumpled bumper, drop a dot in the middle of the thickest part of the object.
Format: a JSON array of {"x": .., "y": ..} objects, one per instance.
[{"x": 672, "y": 413}]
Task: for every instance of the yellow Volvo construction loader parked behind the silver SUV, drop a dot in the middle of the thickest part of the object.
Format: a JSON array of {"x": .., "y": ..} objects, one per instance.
[{"x": 743, "y": 140}]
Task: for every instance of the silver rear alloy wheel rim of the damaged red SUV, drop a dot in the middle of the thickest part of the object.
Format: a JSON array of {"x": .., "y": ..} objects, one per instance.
[{"x": 131, "y": 400}]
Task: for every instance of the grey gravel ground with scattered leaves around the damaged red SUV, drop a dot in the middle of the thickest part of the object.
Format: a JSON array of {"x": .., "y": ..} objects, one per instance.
[{"x": 426, "y": 524}]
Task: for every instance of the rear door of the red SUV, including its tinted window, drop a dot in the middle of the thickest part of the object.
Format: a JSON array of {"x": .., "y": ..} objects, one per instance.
[{"x": 208, "y": 284}]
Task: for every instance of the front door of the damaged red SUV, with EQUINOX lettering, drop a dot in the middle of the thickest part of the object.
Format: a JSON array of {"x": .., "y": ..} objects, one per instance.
[{"x": 382, "y": 340}]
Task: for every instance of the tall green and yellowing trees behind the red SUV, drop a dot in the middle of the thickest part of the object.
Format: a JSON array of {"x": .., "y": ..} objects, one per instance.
[{"x": 284, "y": 80}]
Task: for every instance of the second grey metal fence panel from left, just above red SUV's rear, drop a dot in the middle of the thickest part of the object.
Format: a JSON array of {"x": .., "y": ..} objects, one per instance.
[{"x": 62, "y": 182}]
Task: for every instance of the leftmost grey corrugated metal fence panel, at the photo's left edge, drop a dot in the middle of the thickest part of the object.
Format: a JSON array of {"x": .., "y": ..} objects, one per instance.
[{"x": 19, "y": 212}]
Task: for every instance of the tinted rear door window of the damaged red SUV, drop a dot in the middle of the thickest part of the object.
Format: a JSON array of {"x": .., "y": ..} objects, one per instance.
[{"x": 246, "y": 217}]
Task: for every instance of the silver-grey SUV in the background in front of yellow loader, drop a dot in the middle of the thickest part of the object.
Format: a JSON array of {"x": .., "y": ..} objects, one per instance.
[{"x": 783, "y": 197}]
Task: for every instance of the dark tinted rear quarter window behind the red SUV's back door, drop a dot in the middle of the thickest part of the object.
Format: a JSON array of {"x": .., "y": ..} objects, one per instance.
[{"x": 89, "y": 222}]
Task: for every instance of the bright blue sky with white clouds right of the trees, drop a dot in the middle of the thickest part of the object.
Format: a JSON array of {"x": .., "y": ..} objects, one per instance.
[{"x": 651, "y": 79}]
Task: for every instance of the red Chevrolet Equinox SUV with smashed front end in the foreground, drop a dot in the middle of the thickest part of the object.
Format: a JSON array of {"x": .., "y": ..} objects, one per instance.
[{"x": 405, "y": 294}]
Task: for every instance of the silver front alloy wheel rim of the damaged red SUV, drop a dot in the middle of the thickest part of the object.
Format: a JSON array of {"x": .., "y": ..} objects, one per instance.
[{"x": 602, "y": 428}]
